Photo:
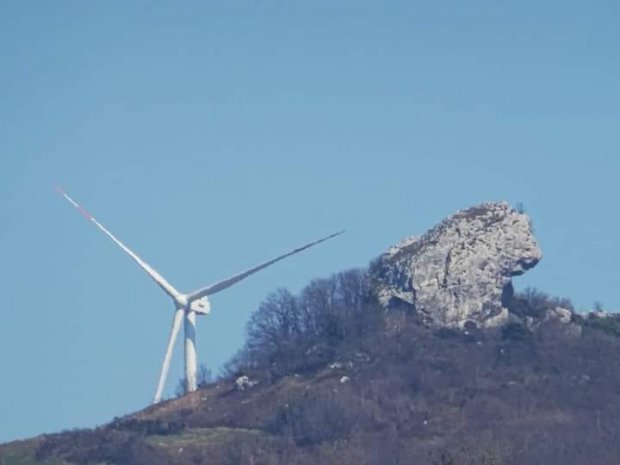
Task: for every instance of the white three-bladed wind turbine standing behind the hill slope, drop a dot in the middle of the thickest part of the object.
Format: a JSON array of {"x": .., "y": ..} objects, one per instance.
[{"x": 187, "y": 306}]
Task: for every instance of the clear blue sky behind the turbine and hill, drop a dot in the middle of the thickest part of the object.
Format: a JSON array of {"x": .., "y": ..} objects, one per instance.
[{"x": 210, "y": 136}]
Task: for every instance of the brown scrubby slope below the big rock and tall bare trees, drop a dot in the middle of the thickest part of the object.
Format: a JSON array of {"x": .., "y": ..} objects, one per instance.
[{"x": 413, "y": 396}]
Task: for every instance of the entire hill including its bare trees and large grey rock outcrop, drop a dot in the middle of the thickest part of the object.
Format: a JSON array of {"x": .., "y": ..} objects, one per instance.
[{"x": 361, "y": 368}]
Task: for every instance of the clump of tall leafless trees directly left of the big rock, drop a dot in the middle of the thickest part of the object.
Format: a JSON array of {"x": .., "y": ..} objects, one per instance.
[{"x": 297, "y": 333}]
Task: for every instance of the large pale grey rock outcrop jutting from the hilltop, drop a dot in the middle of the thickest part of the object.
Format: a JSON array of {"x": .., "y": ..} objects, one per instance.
[{"x": 461, "y": 269}]
